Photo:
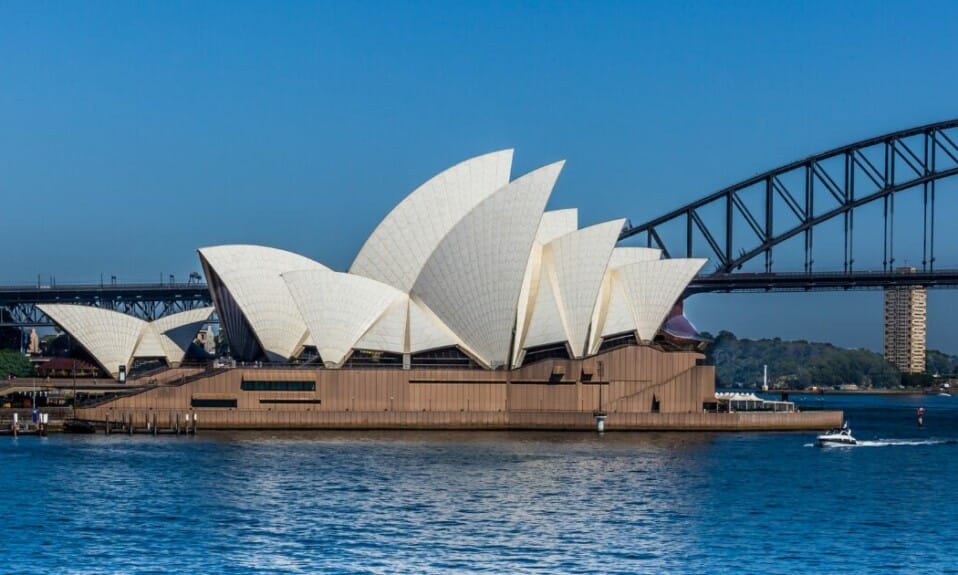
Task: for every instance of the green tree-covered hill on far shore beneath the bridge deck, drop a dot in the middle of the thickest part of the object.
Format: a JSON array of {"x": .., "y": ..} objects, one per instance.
[{"x": 801, "y": 364}]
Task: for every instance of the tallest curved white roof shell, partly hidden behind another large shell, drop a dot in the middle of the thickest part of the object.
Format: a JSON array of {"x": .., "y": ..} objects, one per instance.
[{"x": 397, "y": 250}]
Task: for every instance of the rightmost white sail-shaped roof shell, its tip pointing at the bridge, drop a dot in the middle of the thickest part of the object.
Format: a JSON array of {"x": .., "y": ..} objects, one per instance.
[{"x": 653, "y": 288}]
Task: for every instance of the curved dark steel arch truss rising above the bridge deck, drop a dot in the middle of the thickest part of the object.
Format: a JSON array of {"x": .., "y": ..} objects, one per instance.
[{"x": 840, "y": 180}]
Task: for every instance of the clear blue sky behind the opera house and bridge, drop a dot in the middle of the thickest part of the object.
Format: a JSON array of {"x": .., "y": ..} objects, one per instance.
[{"x": 133, "y": 133}]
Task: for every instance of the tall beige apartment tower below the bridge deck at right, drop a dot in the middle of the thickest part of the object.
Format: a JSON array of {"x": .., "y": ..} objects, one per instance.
[{"x": 905, "y": 315}]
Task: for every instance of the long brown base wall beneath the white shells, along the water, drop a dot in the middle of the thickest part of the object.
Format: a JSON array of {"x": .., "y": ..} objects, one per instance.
[{"x": 628, "y": 384}]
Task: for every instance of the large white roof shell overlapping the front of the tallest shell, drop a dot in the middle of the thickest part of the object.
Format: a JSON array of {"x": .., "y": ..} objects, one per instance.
[{"x": 473, "y": 278}]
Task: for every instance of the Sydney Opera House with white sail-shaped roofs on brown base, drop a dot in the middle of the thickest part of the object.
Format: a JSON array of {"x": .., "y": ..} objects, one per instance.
[{"x": 469, "y": 306}]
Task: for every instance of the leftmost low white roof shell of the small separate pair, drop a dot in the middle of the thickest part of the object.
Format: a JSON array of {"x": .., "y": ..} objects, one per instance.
[{"x": 109, "y": 336}]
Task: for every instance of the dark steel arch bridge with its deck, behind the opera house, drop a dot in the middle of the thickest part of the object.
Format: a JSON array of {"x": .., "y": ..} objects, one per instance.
[{"x": 748, "y": 231}]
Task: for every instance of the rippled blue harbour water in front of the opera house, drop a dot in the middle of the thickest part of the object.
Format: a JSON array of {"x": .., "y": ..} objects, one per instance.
[{"x": 441, "y": 502}]
